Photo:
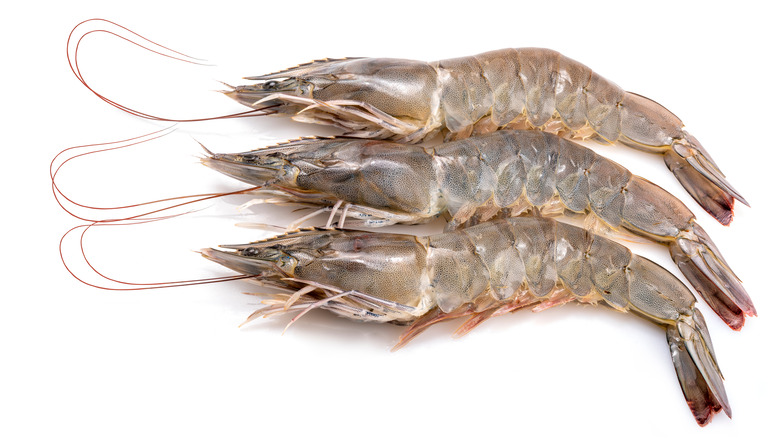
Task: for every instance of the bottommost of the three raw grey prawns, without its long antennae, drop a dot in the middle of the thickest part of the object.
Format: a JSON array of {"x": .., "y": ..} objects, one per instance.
[{"x": 479, "y": 272}]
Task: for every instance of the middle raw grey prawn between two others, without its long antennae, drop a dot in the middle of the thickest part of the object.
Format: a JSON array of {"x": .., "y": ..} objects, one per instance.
[{"x": 506, "y": 173}]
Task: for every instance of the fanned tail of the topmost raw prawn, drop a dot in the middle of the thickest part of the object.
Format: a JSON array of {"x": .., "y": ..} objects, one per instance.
[{"x": 697, "y": 172}]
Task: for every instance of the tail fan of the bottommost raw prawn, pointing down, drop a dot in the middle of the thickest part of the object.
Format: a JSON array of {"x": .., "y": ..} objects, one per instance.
[{"x": 697, "y": 370}]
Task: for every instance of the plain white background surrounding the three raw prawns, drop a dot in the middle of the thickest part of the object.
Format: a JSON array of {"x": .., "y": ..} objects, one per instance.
[{"x": 172, "y": 362}]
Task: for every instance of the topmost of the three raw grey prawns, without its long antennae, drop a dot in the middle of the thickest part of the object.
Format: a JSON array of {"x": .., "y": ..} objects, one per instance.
[{"x": 410, "y": 101}]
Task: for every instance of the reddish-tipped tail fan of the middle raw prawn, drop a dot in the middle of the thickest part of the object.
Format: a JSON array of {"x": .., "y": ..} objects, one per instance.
[{"x": 703, "y": 265}]
